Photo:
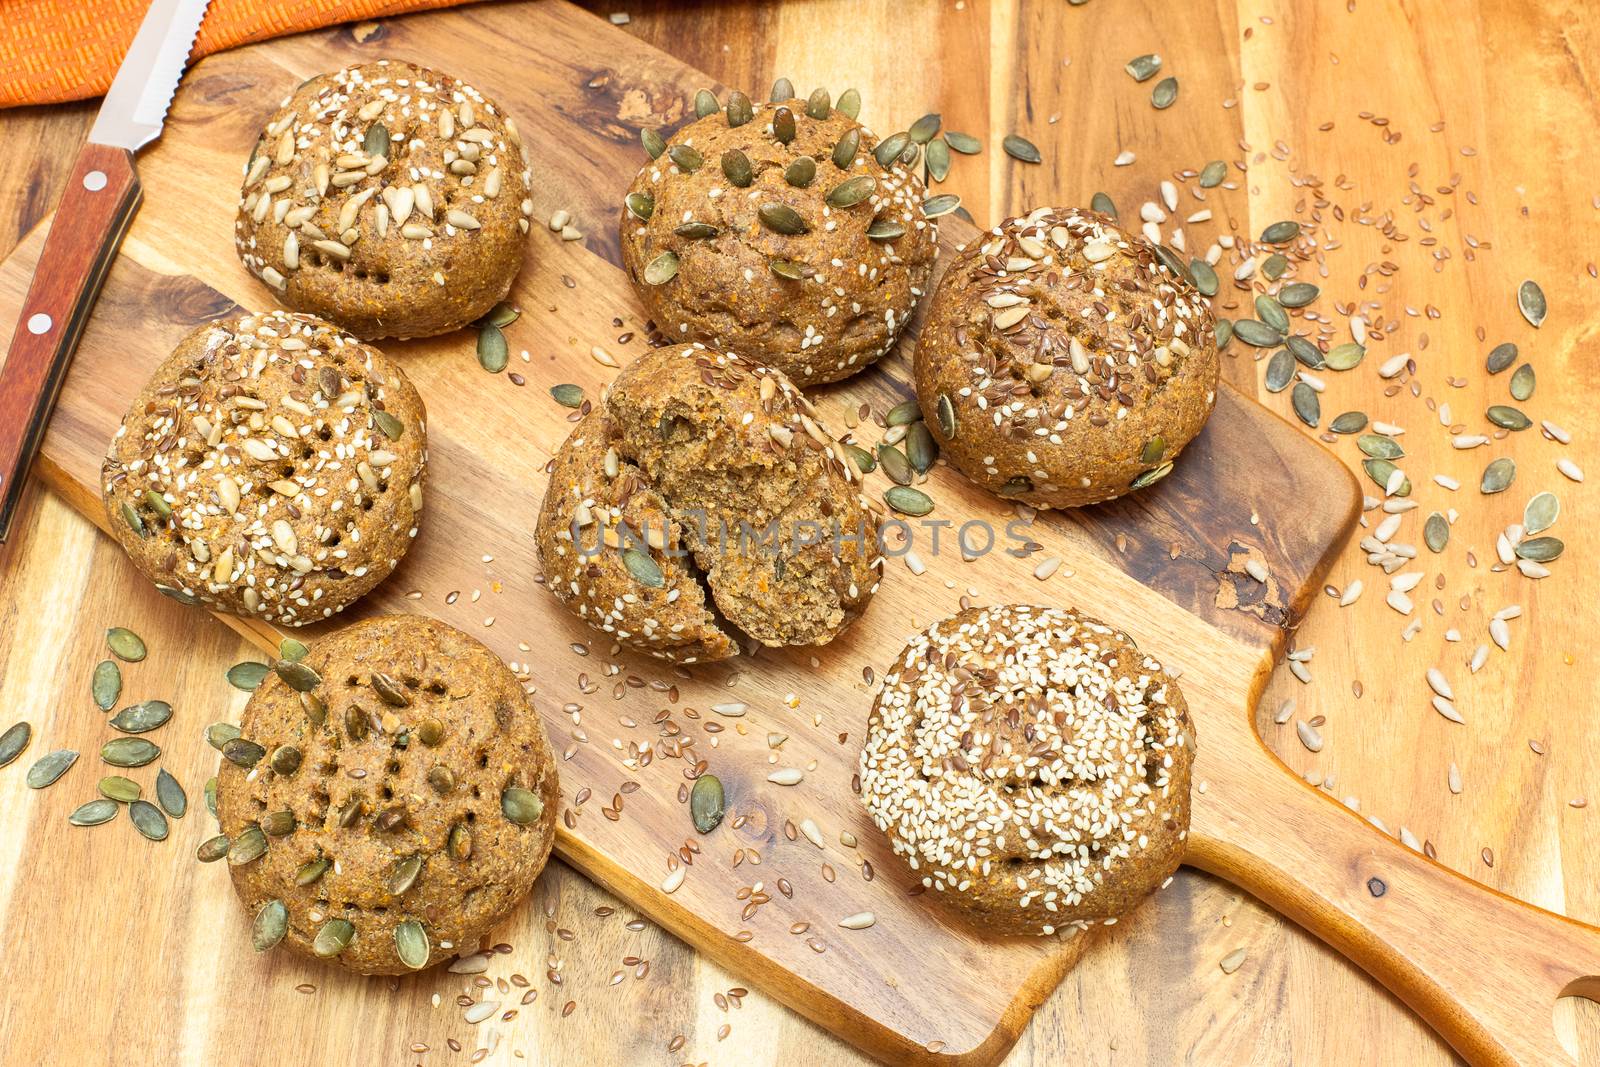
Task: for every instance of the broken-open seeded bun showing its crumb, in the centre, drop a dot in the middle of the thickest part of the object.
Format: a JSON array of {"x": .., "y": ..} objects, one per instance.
[{"x": 726, "y": 447}]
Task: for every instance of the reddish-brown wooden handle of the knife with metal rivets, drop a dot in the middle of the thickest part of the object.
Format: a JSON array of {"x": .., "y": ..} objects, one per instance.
[{"x": 102, "y": 198}]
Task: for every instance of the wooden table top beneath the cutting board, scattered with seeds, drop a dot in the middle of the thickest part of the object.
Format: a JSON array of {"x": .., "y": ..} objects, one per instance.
[{"x": 1454, "y": 143}]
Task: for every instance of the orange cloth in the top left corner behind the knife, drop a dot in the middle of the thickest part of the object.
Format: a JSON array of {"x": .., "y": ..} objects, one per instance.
[{"x": 68, "y": 50}]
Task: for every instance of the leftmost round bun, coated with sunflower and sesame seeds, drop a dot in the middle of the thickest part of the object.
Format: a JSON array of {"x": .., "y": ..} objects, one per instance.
[{"x": 271, "y": 468}]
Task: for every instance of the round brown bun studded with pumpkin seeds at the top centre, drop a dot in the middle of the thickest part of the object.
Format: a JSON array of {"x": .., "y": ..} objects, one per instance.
[{"x": 857, "y": 294}]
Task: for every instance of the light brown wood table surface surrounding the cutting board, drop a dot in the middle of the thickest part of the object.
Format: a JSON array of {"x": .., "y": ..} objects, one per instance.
[{"x": 1290, "y": 999}]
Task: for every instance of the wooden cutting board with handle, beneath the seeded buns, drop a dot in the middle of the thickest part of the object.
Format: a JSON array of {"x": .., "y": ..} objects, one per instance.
[{"x": 1167, "y": 565}]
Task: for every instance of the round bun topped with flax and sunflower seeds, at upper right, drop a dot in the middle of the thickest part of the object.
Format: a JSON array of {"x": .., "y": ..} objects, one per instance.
[{"x": 1065, "y": 362}]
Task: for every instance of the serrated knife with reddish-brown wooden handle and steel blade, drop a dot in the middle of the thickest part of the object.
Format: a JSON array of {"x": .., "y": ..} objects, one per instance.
[{"x": 103, "y": 193}]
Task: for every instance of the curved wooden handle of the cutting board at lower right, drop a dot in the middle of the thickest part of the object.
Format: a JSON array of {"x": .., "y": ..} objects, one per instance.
[{"x": 1482, "y": 969}]
